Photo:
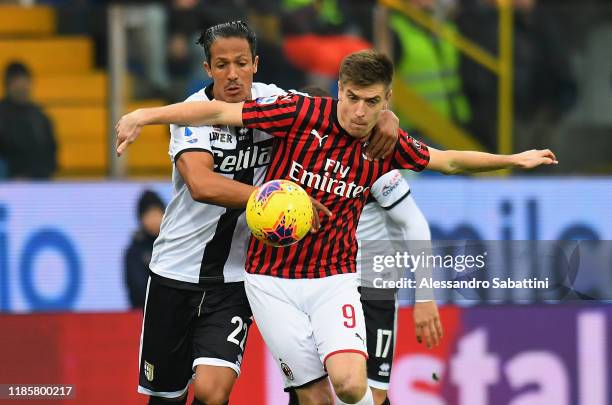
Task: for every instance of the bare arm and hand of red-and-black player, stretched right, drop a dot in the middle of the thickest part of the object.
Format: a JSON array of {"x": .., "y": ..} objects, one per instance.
[{"x": 455, "y": 162}]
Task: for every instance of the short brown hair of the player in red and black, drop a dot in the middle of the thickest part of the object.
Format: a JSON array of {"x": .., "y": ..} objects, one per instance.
[{"x": 365, "y": 68}]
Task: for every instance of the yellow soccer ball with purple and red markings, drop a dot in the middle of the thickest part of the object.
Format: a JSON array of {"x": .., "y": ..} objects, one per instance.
[{"x": 279, "y": 213}]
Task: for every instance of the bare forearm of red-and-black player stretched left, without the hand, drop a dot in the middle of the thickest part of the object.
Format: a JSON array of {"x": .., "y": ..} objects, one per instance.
[{"x": 196, "y": 113}]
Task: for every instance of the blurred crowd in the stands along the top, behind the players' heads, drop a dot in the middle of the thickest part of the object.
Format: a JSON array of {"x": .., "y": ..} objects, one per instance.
[{"x": 562, "y": 65}]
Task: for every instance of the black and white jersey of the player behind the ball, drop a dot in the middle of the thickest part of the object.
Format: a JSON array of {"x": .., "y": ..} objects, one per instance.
[{"x": 202, "y": 244}]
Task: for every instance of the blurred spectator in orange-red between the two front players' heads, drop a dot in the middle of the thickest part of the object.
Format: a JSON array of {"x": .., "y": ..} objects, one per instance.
[{"x": 317, "y": 36}]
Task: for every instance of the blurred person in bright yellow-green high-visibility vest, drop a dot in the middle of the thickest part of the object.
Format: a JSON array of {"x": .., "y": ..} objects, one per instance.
[{"x": 428, "y": 63}]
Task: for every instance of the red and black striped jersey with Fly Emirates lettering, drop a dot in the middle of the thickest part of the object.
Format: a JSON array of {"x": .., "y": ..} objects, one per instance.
[{"x": 313, "y": 150}]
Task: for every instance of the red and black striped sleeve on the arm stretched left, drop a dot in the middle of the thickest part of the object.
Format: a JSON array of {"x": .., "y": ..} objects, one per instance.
[{"x": 274, "y": 115}]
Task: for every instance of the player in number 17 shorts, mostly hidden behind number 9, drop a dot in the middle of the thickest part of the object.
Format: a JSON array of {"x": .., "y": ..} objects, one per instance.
[{"x": 390, "y": 214}]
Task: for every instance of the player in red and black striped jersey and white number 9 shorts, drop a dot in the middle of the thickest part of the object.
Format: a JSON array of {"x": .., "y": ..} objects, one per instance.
[{"x": 304, "y": 297}]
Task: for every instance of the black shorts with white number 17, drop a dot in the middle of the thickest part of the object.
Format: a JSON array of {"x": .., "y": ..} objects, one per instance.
[{"x": 380, "y": 314}]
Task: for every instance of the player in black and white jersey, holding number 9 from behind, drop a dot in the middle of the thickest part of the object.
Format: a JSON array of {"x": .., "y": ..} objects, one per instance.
[{"x": 197, "y": 315}]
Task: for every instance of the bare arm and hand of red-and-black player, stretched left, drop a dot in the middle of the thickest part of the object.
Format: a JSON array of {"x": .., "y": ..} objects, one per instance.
[{"x": 195, "y": 113}]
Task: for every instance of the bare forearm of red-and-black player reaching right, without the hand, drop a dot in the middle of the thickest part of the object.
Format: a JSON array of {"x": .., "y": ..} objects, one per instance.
[{"x": 473, "y": 162}]
